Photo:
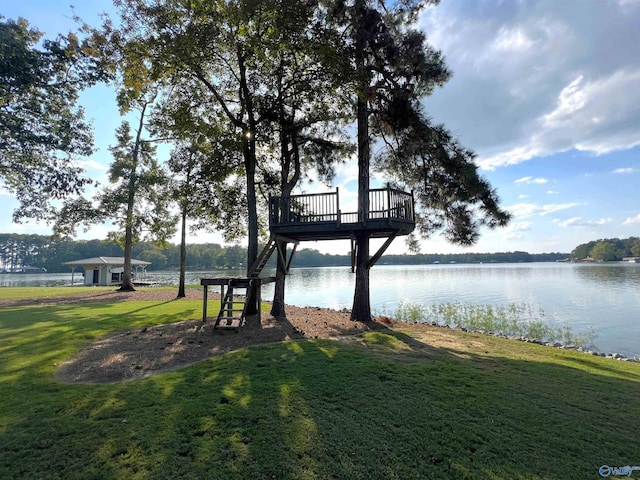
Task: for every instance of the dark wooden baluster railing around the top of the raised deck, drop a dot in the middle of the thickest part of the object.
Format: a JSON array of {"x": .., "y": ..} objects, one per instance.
[{"x": 384, "y": 203}]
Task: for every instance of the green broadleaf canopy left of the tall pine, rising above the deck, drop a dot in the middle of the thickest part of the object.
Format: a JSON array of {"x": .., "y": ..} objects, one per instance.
[{"x": 253, "y": 80}]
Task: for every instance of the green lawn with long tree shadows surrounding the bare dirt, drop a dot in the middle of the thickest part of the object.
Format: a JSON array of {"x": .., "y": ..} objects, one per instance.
[{"x": 387, "y": 405}]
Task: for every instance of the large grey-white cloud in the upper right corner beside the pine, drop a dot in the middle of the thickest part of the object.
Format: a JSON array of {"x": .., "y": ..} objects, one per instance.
[{"x": 536, "y": 78}]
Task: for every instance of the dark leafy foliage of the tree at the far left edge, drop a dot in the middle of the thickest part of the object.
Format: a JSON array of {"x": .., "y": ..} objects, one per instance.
[{"x": 41, "y": 128}]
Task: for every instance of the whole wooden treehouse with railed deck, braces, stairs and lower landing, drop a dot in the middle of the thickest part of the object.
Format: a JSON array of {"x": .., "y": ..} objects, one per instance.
[{"x": 307, "y": 217}]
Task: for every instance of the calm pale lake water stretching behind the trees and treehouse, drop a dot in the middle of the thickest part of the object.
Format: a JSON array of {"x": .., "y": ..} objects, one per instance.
[{"x": 604, "y": 298}]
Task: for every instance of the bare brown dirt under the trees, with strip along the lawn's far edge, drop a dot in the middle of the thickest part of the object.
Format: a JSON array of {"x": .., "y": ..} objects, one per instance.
[{"x": 150, "y": 350}]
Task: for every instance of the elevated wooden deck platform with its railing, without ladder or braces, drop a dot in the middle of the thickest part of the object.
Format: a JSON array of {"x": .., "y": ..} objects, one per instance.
[{"x": 319, "y": 217}]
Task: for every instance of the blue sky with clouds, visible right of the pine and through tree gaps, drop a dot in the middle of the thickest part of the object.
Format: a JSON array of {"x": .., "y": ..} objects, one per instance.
[{"x": 546, "y": 92}]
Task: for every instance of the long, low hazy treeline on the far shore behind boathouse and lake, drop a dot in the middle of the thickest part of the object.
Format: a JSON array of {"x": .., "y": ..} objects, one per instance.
[{"x": 44, "y": 252}]
